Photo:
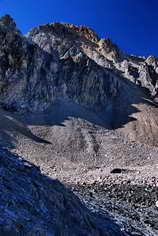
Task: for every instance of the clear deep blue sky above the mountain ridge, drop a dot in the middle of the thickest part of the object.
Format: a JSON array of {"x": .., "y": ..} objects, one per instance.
[{"x": 132, "y": 24}]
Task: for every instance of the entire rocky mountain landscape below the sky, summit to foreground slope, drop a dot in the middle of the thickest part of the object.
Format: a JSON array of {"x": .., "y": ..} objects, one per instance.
[{"x": 86, "y": 113}]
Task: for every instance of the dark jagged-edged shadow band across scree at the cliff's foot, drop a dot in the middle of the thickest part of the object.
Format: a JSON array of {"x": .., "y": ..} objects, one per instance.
[{"x": 118, "y": 113}]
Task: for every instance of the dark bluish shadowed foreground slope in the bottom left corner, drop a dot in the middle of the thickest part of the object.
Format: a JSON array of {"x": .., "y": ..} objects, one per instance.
[{"x": 33, "y": 204}]
